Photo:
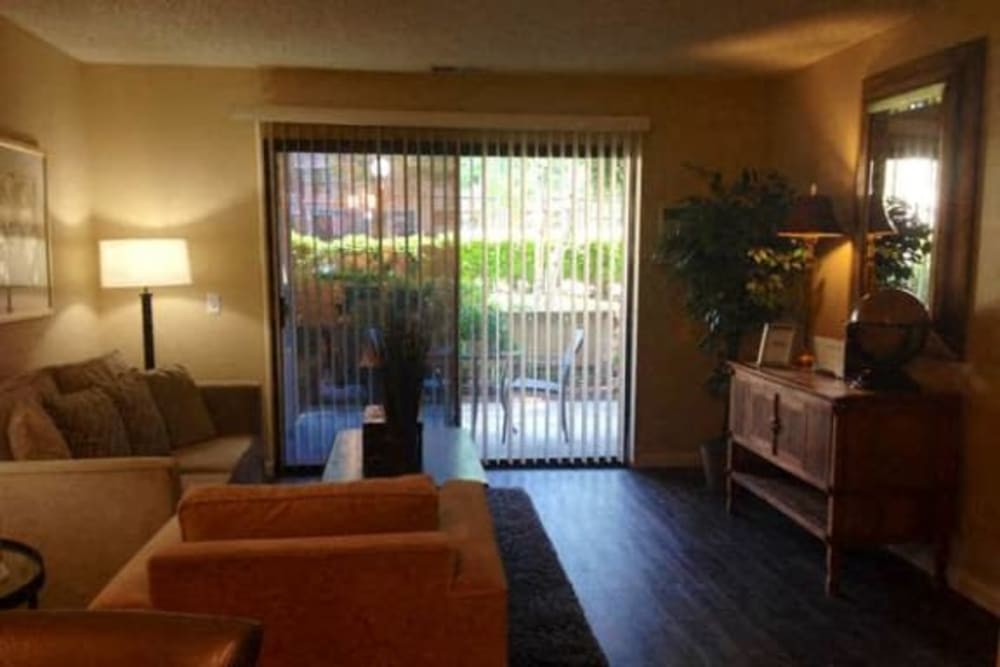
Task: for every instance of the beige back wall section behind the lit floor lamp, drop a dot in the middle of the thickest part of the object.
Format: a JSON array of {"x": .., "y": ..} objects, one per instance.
[{"x": 169, "y": 161}]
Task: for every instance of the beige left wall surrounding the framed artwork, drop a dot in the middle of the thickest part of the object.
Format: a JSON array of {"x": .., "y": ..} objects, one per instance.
[{"x": 43, "y": 106}]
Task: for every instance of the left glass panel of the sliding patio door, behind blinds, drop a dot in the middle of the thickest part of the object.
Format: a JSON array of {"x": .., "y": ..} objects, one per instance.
[{"x": 364, "y": 231}]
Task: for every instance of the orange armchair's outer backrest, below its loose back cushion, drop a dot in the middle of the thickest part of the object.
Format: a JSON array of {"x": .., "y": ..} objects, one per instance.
[{"x": 355, "y": 597}]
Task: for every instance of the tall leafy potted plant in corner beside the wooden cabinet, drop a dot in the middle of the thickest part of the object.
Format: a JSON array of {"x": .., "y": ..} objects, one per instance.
[{"x": 736, "y": 273}]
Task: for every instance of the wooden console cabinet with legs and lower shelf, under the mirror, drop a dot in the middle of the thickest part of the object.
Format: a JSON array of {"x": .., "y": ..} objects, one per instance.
[{"x": 854, "y": 468}]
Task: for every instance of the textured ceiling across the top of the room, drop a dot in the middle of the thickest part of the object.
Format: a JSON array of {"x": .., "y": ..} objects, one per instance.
[{"x": 516, "y": 35}]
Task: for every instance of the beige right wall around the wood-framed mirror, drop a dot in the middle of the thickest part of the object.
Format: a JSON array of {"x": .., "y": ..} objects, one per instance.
[{"x": 815, "y": 135}]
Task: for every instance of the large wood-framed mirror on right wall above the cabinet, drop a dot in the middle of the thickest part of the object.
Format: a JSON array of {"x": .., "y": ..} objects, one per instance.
[{"x": 918, "y": 182}]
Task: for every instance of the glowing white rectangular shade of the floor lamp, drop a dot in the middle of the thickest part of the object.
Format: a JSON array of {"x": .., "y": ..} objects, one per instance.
[{"x": 144, "y": 263}]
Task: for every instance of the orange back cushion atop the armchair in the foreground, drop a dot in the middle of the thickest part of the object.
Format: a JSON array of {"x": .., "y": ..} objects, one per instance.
[{"x": 400, "y": 504}]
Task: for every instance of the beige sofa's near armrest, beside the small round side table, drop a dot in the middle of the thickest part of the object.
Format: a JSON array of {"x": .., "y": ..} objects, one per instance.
[{"x": 86, "y": 516}]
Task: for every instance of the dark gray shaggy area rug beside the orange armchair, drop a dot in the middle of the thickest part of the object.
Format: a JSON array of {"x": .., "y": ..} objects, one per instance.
[{"x": 547, "y": 624}]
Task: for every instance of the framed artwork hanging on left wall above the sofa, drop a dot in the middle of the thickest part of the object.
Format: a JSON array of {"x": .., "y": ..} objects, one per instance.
[{"x": 25, "y": 261}]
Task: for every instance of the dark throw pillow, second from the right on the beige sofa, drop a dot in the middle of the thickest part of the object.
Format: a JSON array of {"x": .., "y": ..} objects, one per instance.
[{"x": 147, "y": 433}]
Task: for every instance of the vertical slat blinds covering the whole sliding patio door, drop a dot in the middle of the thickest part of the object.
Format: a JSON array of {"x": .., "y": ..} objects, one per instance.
[{"x": 512, "y": 247}]
